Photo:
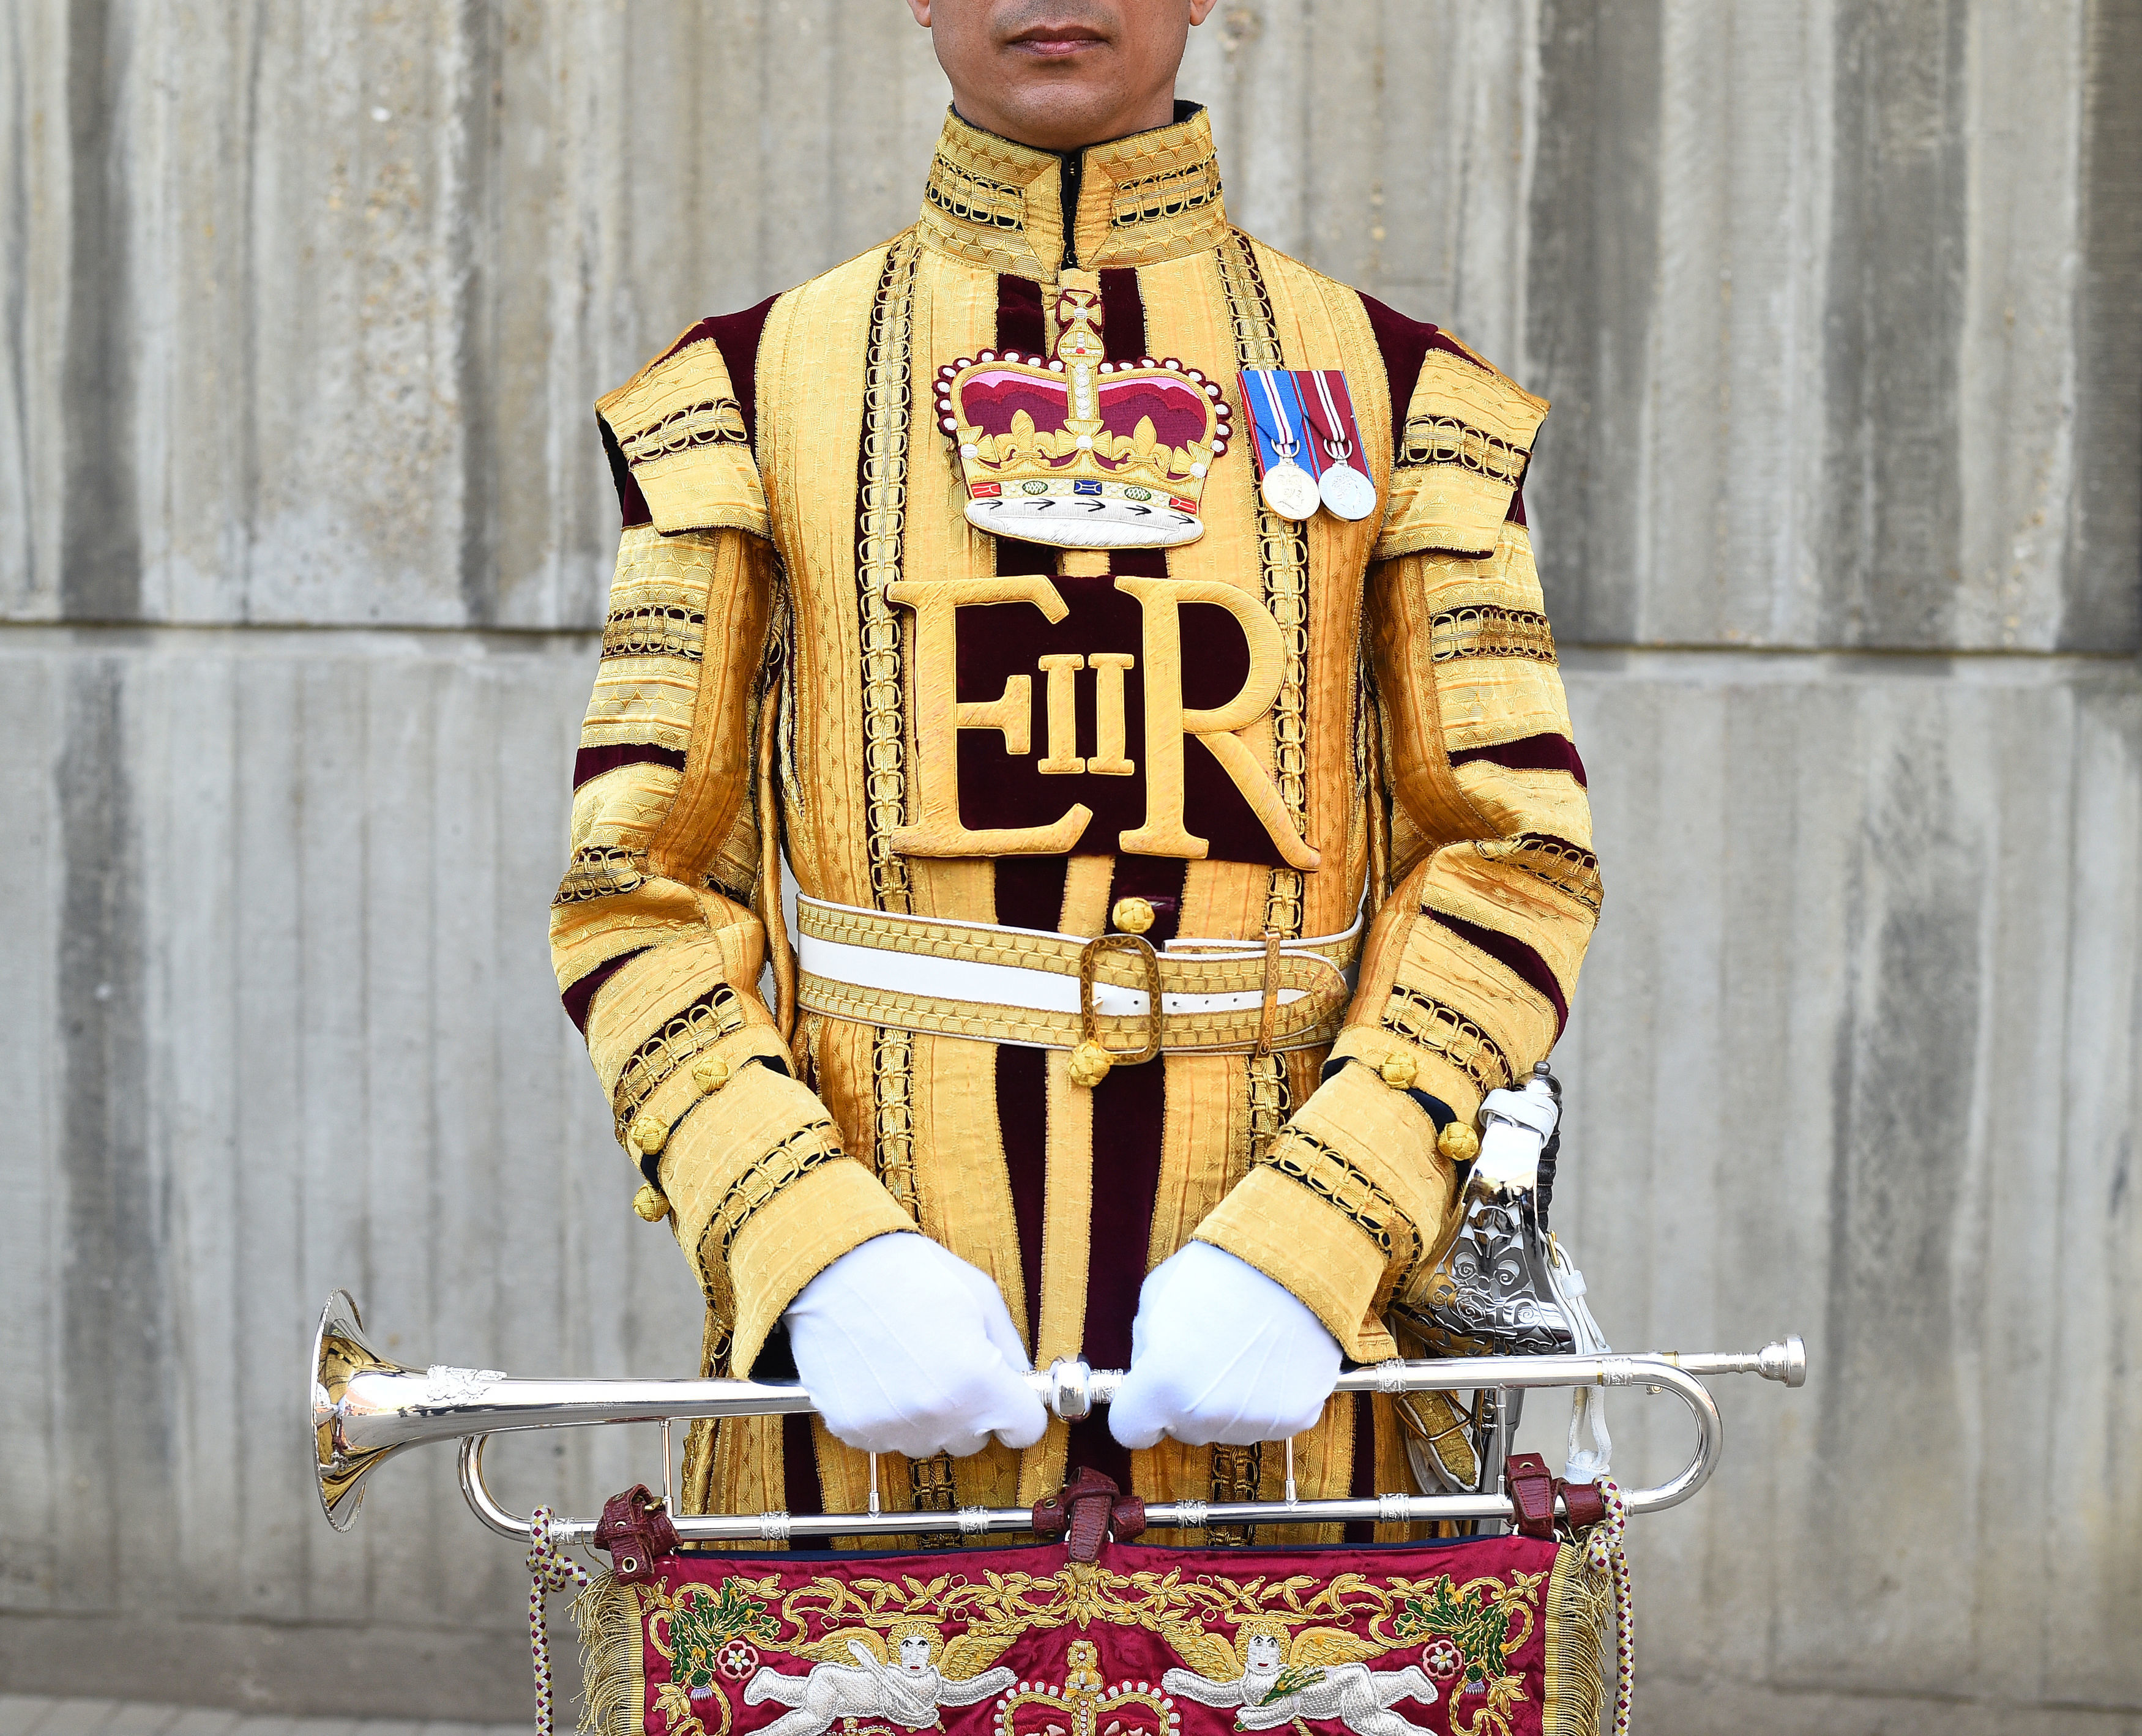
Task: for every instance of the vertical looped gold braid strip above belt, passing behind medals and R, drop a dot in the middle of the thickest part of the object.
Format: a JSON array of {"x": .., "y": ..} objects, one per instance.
[{"x": 1284, "y": 553}]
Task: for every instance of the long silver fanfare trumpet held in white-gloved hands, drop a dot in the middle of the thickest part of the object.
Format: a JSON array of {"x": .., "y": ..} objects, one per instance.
[{"x": 365, "y": 1410}]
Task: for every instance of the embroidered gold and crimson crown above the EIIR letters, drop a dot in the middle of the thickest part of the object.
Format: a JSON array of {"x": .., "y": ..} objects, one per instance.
[{"x": 1078, "y": 453}]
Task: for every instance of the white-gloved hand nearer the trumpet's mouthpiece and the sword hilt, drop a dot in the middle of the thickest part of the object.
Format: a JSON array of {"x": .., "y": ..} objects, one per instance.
[{"x": 1222, "y": 1354}]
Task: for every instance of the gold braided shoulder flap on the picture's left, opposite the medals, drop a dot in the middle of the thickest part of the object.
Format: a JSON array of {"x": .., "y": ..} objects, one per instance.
[{"x": 682, "y": 431}]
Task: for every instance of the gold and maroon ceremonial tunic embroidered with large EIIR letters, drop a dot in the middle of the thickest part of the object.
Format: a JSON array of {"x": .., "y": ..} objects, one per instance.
[{"x": 1278, "y": 729}]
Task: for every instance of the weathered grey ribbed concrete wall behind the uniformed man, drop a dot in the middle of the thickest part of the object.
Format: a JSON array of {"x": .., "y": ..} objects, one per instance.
[{"x": 303, "y": 534}]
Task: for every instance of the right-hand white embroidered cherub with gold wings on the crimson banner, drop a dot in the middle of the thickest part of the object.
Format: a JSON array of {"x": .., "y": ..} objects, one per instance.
[{"x": 1318, "y": 1675}]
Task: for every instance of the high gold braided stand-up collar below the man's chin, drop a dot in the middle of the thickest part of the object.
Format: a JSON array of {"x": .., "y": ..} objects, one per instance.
[{"x": 1128, "y": 202}]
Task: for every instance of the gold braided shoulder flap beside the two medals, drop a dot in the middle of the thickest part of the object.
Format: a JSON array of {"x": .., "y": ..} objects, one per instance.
[{"x": 1462, "y": 457}]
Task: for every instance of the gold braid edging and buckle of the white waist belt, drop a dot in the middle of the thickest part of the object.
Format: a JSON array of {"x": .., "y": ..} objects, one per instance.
[{"x": 1203, "y": 969}]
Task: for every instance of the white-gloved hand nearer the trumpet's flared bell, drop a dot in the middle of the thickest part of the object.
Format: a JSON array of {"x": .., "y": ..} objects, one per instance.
[{"x": 907, "y": 1350}]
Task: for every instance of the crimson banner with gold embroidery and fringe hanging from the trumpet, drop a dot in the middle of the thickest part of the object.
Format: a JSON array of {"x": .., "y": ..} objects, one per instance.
[{"x": 1503, "y": 1636}]
